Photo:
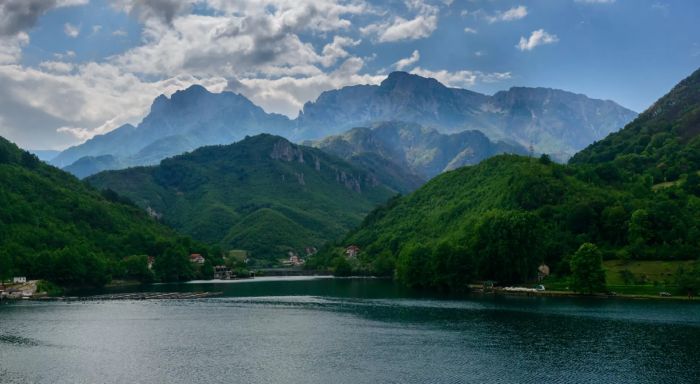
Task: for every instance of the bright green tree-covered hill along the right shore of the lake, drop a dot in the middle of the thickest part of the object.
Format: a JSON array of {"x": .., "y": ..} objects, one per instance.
[{"x": 502, "y": 218}]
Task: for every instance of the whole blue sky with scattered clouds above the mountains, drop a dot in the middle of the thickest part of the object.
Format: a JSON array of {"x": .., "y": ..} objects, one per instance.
[{"x": 71, "y": 69}]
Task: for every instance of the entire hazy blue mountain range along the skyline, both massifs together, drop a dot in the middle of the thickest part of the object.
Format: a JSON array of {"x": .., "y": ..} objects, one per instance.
[{"x": 552, "y": 121}]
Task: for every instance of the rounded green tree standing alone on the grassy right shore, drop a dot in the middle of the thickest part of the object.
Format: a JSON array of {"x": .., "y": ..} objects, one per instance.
[{"x": 587, "y": 274}]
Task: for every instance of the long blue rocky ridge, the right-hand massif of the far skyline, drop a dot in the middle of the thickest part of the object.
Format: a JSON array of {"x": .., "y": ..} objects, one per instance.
[{"x": 552, "y": 121}]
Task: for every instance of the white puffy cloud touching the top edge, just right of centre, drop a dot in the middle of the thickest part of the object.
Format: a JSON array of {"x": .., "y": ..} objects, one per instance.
[{"x": 398, "y": 29}]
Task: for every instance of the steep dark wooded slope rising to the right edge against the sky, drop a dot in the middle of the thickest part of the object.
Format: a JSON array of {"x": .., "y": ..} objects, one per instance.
[{"x": 663, "y": 142}]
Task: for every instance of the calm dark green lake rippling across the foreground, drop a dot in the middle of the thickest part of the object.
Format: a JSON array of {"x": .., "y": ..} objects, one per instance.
[{"x": 324, "y": 330}]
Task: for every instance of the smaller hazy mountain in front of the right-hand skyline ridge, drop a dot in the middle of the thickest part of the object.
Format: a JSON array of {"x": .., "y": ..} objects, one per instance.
[{"x": 419, "y": 150}]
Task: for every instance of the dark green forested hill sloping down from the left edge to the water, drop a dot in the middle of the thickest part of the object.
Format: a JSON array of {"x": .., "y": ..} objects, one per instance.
[{"x": 54, "y": 227}]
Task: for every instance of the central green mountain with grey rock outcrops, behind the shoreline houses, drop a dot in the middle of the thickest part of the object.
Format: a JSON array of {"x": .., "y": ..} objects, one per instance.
[{"x": 262, "y": 194}]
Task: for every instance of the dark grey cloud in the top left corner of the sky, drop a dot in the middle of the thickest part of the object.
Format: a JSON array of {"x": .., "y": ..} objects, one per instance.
[{"x": 19, "y": 15}]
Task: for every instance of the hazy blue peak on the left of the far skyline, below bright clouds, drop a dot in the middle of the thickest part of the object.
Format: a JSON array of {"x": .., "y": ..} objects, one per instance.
[{"x": 188, "y": 120}]
